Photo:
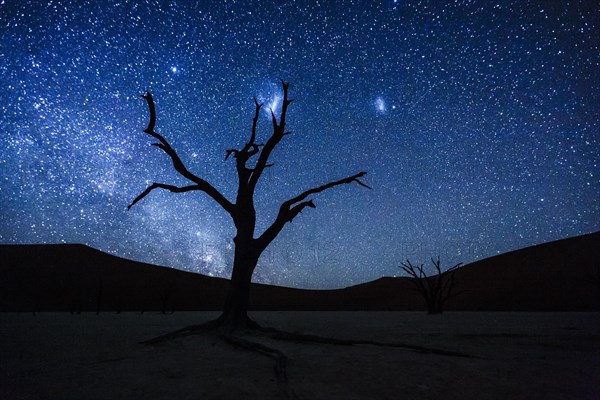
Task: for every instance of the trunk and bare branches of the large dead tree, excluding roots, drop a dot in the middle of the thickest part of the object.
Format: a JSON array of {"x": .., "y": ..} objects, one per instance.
[{"x": 248, "y": 245}]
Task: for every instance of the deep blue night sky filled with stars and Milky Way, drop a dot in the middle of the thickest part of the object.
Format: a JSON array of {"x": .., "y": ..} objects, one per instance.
[{"x": 478, "y": 123}]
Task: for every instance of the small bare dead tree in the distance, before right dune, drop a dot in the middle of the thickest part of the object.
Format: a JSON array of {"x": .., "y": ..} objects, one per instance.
[{"x": 435, "y": 289}]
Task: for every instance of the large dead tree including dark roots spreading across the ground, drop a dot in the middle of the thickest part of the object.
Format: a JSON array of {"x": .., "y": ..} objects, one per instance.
[{"x": 249, "y": 245}]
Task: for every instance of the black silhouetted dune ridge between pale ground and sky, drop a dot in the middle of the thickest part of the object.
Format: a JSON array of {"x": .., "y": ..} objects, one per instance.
[{"x": 558, "y": 276}]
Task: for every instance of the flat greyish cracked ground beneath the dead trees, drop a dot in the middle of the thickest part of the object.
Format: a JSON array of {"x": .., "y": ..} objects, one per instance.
[{"x": 517, "y": 356}]
